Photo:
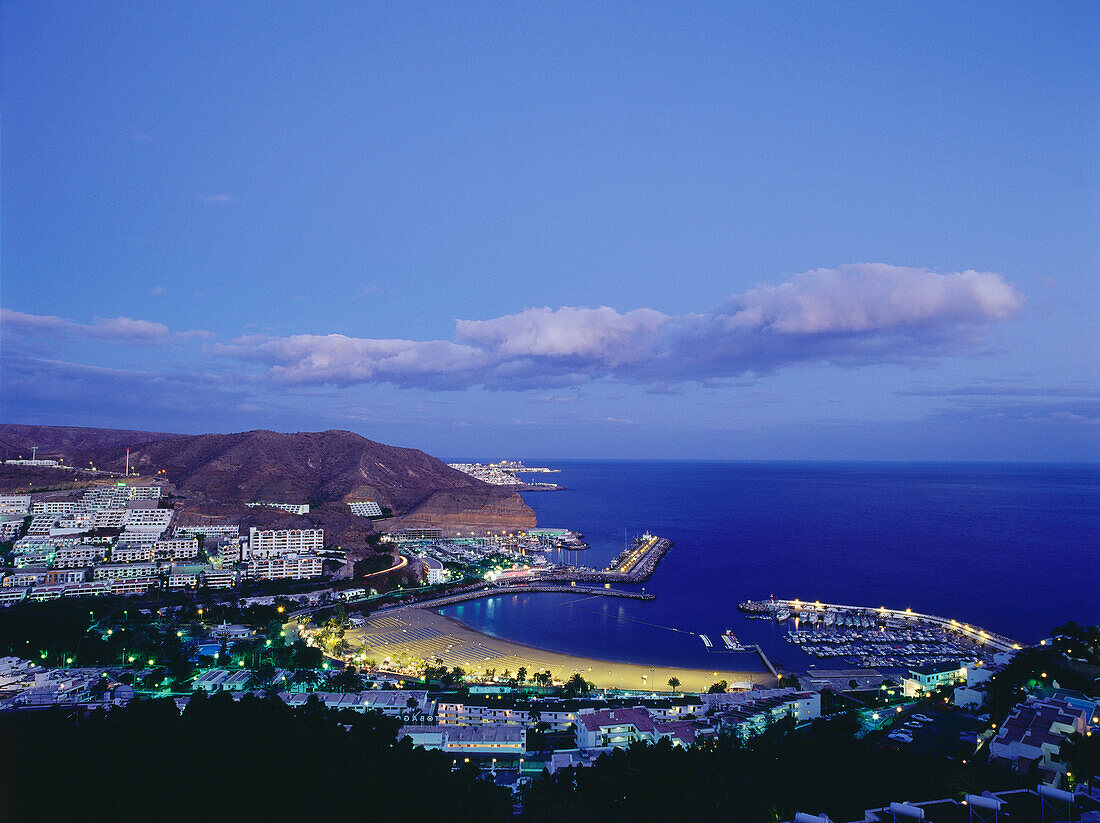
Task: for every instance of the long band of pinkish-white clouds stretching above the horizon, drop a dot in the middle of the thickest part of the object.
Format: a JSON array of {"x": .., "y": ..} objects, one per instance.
[{"x": 855, "y": 315}]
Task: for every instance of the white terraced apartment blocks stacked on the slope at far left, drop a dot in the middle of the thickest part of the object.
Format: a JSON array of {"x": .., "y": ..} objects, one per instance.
[{"x": 119, "y": 540}]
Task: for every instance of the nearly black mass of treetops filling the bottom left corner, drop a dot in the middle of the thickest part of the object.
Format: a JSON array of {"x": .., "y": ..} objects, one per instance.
[{"x": 256, "y": 760}]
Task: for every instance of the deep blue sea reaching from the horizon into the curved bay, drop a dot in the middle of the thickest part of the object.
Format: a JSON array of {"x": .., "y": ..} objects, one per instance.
[{"x": 1008, "y": 547}]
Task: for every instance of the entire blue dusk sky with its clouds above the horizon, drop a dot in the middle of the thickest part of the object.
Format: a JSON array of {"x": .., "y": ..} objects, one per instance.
[{"x": 727, "y": 231}]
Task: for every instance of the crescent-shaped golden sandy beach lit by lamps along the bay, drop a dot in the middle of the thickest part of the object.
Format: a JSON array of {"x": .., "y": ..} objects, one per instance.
[{"x": 424, "y": 634}]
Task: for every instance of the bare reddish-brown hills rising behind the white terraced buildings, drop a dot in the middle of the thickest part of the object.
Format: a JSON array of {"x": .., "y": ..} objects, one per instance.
[{"x": 323, "y": 469}]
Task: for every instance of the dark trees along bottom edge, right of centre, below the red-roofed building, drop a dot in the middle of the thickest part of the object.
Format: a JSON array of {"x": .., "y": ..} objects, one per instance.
[{"x": 779, "y": 773}]
